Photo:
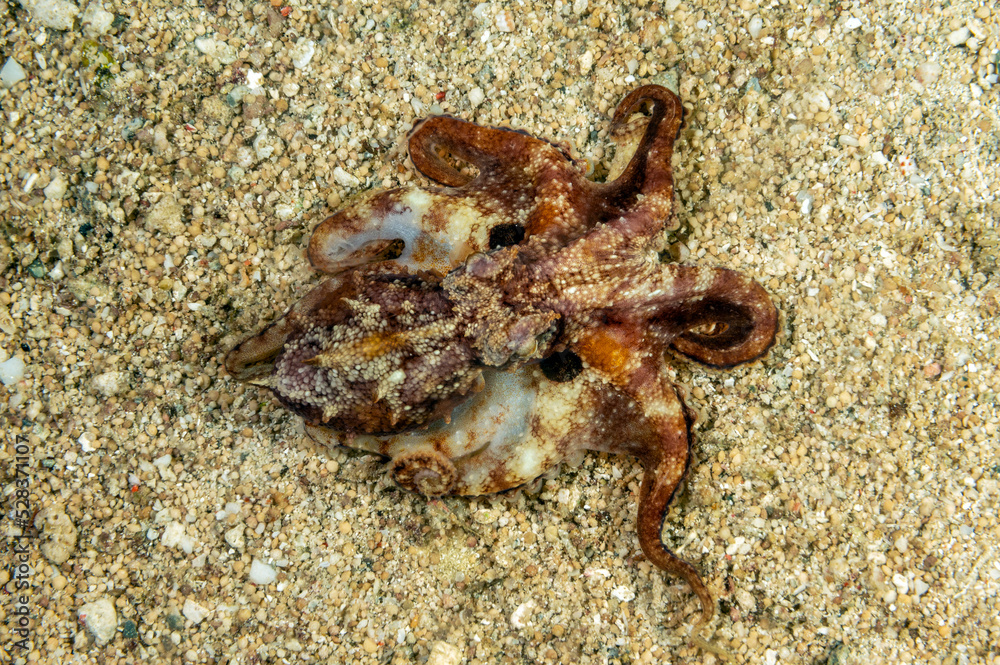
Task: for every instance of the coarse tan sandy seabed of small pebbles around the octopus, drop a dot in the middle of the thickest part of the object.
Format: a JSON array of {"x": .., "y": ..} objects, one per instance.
[{"x": 162, "y": 165}]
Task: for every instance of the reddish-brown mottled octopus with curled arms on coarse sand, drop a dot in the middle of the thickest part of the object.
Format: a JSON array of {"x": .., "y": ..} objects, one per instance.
[{"x": 479, "y": 331}]
